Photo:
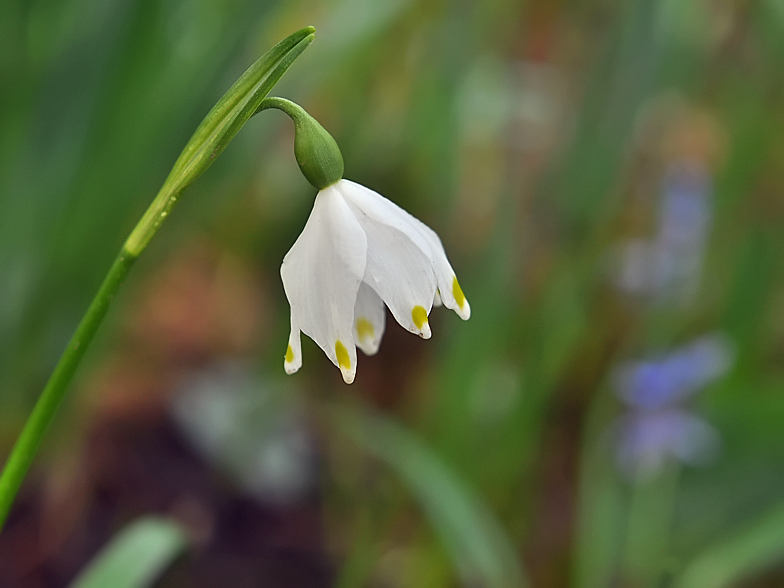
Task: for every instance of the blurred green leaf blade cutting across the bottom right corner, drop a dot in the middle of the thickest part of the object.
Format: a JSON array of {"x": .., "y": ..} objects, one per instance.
[{"x": 749, "y": 552}]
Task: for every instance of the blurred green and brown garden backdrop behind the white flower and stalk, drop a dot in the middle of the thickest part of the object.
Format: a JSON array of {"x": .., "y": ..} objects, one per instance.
[{"x": 607, "y": 179}]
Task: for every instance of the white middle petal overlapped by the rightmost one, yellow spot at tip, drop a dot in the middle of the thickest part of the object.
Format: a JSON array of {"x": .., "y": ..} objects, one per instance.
[{"x": 399, "y": 266}]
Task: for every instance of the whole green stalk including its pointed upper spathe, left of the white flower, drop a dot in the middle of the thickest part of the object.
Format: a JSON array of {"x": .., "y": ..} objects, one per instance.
[{"x": 212, "y": 136}]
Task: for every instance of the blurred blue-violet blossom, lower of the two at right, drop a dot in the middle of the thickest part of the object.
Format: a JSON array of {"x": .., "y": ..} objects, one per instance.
[{"x": 655, "y": 427}]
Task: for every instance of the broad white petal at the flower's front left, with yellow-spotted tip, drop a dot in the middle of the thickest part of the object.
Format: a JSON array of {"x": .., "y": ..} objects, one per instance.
[{"x": 321, "y": 276}]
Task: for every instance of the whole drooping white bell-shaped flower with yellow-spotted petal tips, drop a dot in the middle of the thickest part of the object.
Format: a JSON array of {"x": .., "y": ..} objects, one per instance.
[{"x": 357, "y": 252}]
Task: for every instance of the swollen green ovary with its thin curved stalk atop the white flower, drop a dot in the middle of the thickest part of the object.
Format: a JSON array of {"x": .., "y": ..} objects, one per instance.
[{"x": 317, "y": 153}]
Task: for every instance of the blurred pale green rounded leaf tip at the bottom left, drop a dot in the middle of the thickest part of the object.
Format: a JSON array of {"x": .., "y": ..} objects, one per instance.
[{"x": 136, "y": 557}]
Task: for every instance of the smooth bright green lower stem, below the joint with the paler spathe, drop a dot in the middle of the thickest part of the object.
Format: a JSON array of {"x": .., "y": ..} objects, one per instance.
[{"x": 29, "y": 440}]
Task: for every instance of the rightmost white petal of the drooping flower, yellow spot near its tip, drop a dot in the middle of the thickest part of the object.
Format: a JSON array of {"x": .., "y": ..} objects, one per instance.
[{"x": 384, "y": 211}]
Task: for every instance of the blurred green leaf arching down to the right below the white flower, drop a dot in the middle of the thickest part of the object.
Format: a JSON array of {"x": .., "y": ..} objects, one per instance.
[{"x": 479, "y": 546}]
